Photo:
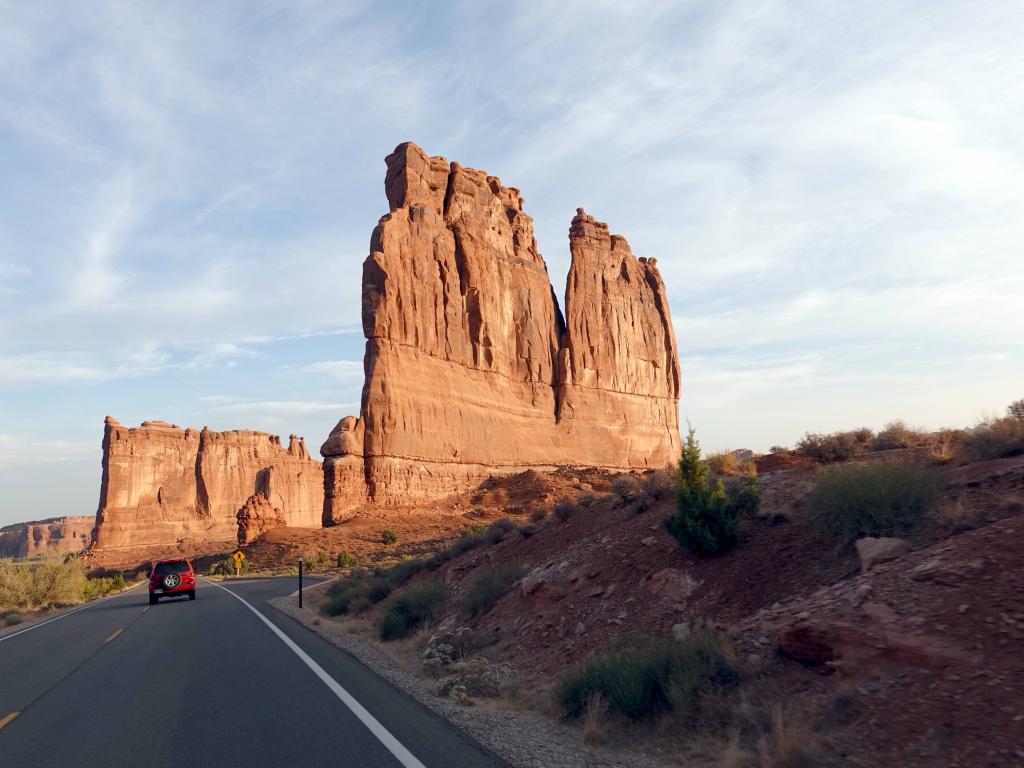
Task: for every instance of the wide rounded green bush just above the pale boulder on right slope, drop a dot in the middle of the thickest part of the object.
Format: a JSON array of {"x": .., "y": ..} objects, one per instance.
[{"x": 879, "y": 500}]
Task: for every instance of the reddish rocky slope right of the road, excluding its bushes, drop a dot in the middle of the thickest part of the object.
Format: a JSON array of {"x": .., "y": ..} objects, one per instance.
[{"x": 919, "y": 662}]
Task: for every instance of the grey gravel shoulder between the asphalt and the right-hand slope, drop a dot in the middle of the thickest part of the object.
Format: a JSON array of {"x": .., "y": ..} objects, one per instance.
[{"x": 524, "y": 740}]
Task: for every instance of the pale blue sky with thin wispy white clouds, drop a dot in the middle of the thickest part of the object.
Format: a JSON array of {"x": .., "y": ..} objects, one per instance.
[{"x": 834, "y": 192}]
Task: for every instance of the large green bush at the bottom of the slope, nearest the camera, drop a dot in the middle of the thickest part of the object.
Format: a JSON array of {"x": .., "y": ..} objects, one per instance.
[{"x": 642, "y": 677}]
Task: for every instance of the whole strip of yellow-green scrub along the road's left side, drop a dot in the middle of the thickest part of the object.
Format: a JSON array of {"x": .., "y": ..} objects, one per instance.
[{"x": 52, "y": 582}]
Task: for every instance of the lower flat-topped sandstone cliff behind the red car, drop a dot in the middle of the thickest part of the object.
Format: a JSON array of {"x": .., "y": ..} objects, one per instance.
[{"x": 162, "y": 484}]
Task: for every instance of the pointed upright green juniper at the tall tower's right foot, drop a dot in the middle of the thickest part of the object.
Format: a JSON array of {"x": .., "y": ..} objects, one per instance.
[{"x": 707, "y": 521}]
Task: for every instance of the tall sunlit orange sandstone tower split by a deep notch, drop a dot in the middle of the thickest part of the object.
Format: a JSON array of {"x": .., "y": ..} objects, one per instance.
[{"x": 472, "y": 369}]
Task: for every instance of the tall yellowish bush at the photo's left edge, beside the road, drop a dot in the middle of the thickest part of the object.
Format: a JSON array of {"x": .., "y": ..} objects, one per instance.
[{"x": 54, "y": 581}]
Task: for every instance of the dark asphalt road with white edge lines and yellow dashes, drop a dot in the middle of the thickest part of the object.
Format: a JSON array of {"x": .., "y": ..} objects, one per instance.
[{"x": 207, "y": 684}]
